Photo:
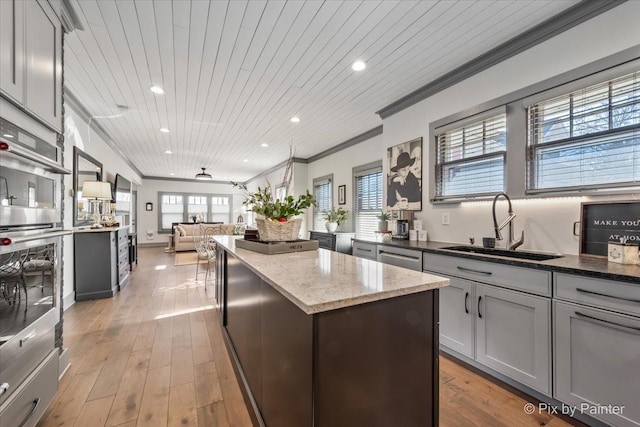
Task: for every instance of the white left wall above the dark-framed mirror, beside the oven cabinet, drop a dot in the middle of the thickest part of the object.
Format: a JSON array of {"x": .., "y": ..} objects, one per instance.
[{"x": 77, "y": 133}]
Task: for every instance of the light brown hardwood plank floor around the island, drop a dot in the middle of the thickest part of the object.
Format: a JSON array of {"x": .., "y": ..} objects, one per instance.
[{"x": 153, "y": 355}]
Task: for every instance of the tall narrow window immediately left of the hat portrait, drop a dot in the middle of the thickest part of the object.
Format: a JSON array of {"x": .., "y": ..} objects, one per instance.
[{"x": 367, "y": 199}]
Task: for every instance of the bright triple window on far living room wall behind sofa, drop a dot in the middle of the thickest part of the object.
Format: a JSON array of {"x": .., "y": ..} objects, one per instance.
[{"x": 182, "y": 207}]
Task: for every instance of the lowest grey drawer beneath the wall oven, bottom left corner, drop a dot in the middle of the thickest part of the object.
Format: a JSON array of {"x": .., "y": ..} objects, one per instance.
[{"x": 28, "y": 403}]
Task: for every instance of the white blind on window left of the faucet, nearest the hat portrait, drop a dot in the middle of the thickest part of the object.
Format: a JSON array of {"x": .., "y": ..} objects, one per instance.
[{"x": 470, "y": 160}]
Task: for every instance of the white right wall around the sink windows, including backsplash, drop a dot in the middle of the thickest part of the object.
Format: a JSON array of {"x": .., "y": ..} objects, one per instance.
[{"x": 548, "y": 225}]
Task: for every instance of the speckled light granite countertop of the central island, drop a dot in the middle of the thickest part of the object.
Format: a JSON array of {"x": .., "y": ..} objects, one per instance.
[{"x": 322, "y": 280}]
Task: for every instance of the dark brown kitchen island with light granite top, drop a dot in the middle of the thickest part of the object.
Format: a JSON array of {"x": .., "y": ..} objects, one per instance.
[{"x": 326, "y": 339}]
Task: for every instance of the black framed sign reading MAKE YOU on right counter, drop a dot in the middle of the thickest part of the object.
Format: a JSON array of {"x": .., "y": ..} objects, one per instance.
[{"x": 604, "y": 222}]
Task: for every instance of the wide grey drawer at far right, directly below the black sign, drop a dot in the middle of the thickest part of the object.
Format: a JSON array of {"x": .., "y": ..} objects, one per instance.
[{"x": 618, "y": 296}]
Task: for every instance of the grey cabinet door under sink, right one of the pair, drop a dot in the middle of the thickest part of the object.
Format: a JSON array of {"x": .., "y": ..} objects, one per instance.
[{"x": 513, "y": 335}]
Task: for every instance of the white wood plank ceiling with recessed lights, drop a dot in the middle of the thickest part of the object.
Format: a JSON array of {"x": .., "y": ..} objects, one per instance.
[{"x": 235, "y": 72}]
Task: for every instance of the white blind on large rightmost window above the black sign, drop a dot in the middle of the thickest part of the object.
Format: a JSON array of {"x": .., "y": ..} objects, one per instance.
[{"x": 589, "y": 138}]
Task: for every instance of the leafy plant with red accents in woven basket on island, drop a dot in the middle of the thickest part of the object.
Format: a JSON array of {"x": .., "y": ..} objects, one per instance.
[{"x": 277, "y": 223}]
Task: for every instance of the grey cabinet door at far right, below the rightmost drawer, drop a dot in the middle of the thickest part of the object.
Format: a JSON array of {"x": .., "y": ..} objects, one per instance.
[{"x": 597, "y": 361}]
